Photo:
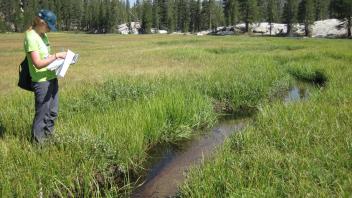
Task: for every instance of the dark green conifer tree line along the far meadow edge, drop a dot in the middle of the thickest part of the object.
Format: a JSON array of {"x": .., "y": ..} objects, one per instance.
[{"x": 102, "y": 16}]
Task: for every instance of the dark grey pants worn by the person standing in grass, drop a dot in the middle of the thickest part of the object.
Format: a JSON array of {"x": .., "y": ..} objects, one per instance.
[{"x": 46, "y": 109}]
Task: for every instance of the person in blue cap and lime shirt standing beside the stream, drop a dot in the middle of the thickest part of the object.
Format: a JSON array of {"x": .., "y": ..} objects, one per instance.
[{"x": 44, "y": 82}]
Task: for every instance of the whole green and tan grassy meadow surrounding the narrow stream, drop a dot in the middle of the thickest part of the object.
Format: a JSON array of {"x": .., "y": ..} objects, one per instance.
[{"x": 129, "y": 94}]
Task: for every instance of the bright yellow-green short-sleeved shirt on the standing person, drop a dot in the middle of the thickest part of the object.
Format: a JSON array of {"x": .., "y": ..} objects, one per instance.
[{"x": 34, "y": 42}]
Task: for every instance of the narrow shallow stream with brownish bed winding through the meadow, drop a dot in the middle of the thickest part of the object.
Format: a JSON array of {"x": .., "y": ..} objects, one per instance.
[{"x": 171, "y": 163}]
